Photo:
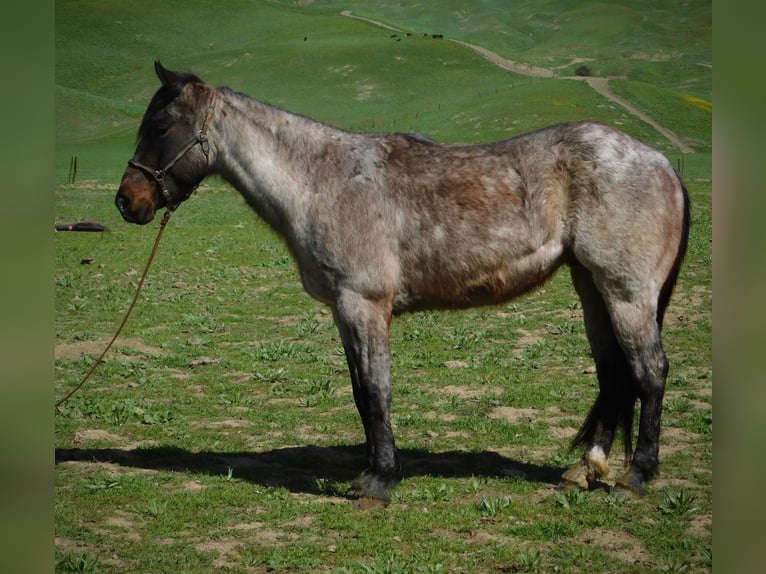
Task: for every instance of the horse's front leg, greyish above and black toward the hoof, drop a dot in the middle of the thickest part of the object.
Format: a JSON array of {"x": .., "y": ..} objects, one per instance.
[{"x": 363, "y": 326}]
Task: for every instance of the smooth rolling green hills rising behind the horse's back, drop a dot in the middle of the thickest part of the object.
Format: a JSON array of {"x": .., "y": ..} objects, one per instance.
[{"x": 310, "y": 59}]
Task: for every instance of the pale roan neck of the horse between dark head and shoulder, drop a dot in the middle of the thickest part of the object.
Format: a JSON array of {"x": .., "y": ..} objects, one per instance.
[{"x": 269, "y": 155}]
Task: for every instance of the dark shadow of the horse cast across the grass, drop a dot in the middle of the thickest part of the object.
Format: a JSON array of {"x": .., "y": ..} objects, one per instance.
[{"x": 308, "y": 469}]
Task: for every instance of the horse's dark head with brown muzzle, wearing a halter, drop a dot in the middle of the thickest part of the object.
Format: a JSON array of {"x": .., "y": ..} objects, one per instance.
[{"x": 171, "y": 158}]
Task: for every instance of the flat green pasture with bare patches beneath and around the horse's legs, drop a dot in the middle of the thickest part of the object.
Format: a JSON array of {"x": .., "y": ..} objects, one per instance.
[{"x": 245, "y": 456}]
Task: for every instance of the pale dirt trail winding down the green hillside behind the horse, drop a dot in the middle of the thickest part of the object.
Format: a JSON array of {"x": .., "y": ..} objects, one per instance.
[{"x": 601, "y": 85}]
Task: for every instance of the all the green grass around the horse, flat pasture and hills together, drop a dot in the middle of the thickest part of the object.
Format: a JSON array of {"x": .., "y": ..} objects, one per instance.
[{"x": 220, "y": 433}]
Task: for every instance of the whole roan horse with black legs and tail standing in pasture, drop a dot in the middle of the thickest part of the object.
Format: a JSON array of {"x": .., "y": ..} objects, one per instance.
[{"x": 381, "y": 223}]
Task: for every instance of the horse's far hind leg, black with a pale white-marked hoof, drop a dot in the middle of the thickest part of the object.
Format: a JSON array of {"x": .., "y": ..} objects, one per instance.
[{"x": 615, "y": 402}]
